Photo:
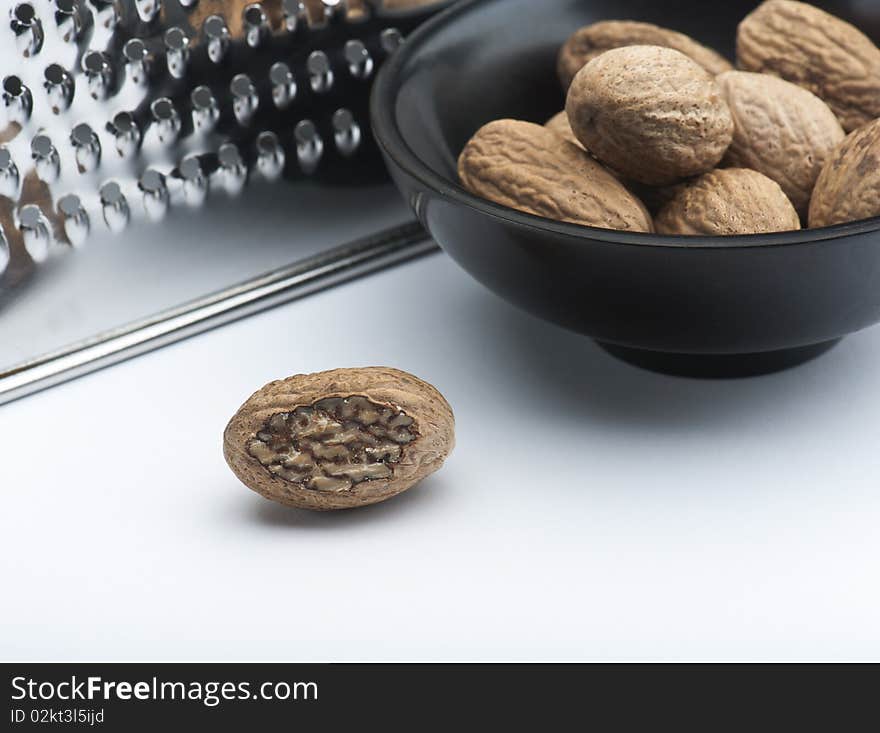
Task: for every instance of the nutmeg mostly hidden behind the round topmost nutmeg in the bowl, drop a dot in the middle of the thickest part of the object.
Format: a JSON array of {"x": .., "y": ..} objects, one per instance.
[{"x": 592, "y": 40}]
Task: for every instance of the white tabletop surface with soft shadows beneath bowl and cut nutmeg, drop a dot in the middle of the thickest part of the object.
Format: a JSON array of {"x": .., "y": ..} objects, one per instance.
[{"x": 590, "y": 510}]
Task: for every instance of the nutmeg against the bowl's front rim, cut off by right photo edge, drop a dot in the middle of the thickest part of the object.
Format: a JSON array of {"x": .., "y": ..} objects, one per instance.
[{"x": 848, "y": 188}]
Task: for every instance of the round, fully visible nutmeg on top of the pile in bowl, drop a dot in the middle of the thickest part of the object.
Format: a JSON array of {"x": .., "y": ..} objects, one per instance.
[{"x": 650, "y": 113}]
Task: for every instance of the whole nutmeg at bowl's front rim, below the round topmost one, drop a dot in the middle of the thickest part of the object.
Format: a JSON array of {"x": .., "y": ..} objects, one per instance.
[{"x": 728, "y": 201}]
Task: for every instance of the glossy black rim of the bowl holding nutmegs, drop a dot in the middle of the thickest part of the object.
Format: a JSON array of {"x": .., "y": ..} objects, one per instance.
[{"x": 392, "y": 144}]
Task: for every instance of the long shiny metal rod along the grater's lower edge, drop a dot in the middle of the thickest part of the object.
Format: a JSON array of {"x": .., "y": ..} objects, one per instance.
[{"x": 369, "y": 254}]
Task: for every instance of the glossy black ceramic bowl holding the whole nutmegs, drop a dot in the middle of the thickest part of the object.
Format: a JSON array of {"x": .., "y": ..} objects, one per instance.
[{"x": 700, "y": 305}]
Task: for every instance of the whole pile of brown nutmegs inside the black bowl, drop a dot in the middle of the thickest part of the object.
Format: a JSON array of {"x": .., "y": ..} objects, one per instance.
[{"x": 660, "y": 133}]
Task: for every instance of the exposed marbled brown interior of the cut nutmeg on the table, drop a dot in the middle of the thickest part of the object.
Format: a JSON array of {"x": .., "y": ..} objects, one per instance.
[{"x": 334, "y": 443}]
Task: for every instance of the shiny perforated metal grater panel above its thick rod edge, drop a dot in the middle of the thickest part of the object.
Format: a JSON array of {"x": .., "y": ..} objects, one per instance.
[{"x": 117, "y": 113}]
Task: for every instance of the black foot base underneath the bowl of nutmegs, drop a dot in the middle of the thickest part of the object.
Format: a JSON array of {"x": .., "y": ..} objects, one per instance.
[{"x": 718, "y": 366}]
